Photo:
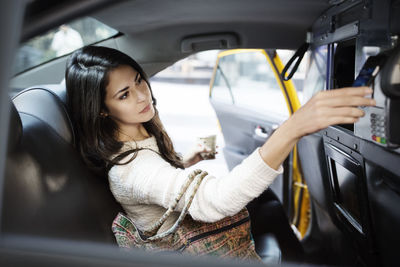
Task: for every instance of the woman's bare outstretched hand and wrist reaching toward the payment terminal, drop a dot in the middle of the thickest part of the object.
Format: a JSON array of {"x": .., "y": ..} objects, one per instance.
[{"x": 326, "y": 108}]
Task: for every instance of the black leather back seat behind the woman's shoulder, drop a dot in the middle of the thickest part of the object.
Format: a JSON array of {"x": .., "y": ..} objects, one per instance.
[{"x": 49, "y": 192}]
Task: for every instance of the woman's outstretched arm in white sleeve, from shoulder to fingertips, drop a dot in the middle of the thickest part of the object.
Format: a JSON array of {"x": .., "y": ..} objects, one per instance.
[{"x": 149, "y": 179}]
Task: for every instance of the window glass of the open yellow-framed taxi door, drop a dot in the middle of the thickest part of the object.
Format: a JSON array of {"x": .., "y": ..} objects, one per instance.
[{"x": 246, "y": 80}]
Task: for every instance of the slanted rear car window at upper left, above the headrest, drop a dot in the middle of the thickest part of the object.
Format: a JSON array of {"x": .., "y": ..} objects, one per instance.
[{"x": 59, "y": 42}]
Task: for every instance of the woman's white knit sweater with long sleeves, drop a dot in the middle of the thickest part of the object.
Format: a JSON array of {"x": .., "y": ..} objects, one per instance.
[{"x": 146, "y": 186}]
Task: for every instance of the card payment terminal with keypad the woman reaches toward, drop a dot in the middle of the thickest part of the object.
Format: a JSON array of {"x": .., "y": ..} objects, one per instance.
[{"x": 381, "y": 124}]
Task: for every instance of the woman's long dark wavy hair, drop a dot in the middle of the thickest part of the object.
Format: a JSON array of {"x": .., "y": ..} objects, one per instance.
[{"x": 86, "y": 79}]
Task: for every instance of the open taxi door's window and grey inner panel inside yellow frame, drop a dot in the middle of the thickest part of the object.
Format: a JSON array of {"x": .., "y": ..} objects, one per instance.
[{"x": 248, "y": 103}]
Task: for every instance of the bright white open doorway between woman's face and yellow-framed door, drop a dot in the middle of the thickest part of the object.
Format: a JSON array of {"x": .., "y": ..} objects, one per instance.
[{"x": 185, "y": 86}]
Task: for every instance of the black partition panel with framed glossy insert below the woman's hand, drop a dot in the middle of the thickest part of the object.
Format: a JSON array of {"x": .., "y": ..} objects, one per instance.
[{"x": 350, "y": 199}]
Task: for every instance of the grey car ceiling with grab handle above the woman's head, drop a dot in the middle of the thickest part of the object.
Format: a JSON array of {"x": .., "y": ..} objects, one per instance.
[{"x": 159, "y": 39}]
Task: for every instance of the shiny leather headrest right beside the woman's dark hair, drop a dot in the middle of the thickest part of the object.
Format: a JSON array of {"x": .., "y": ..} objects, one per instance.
[{"x": 47, "y": 103}]
